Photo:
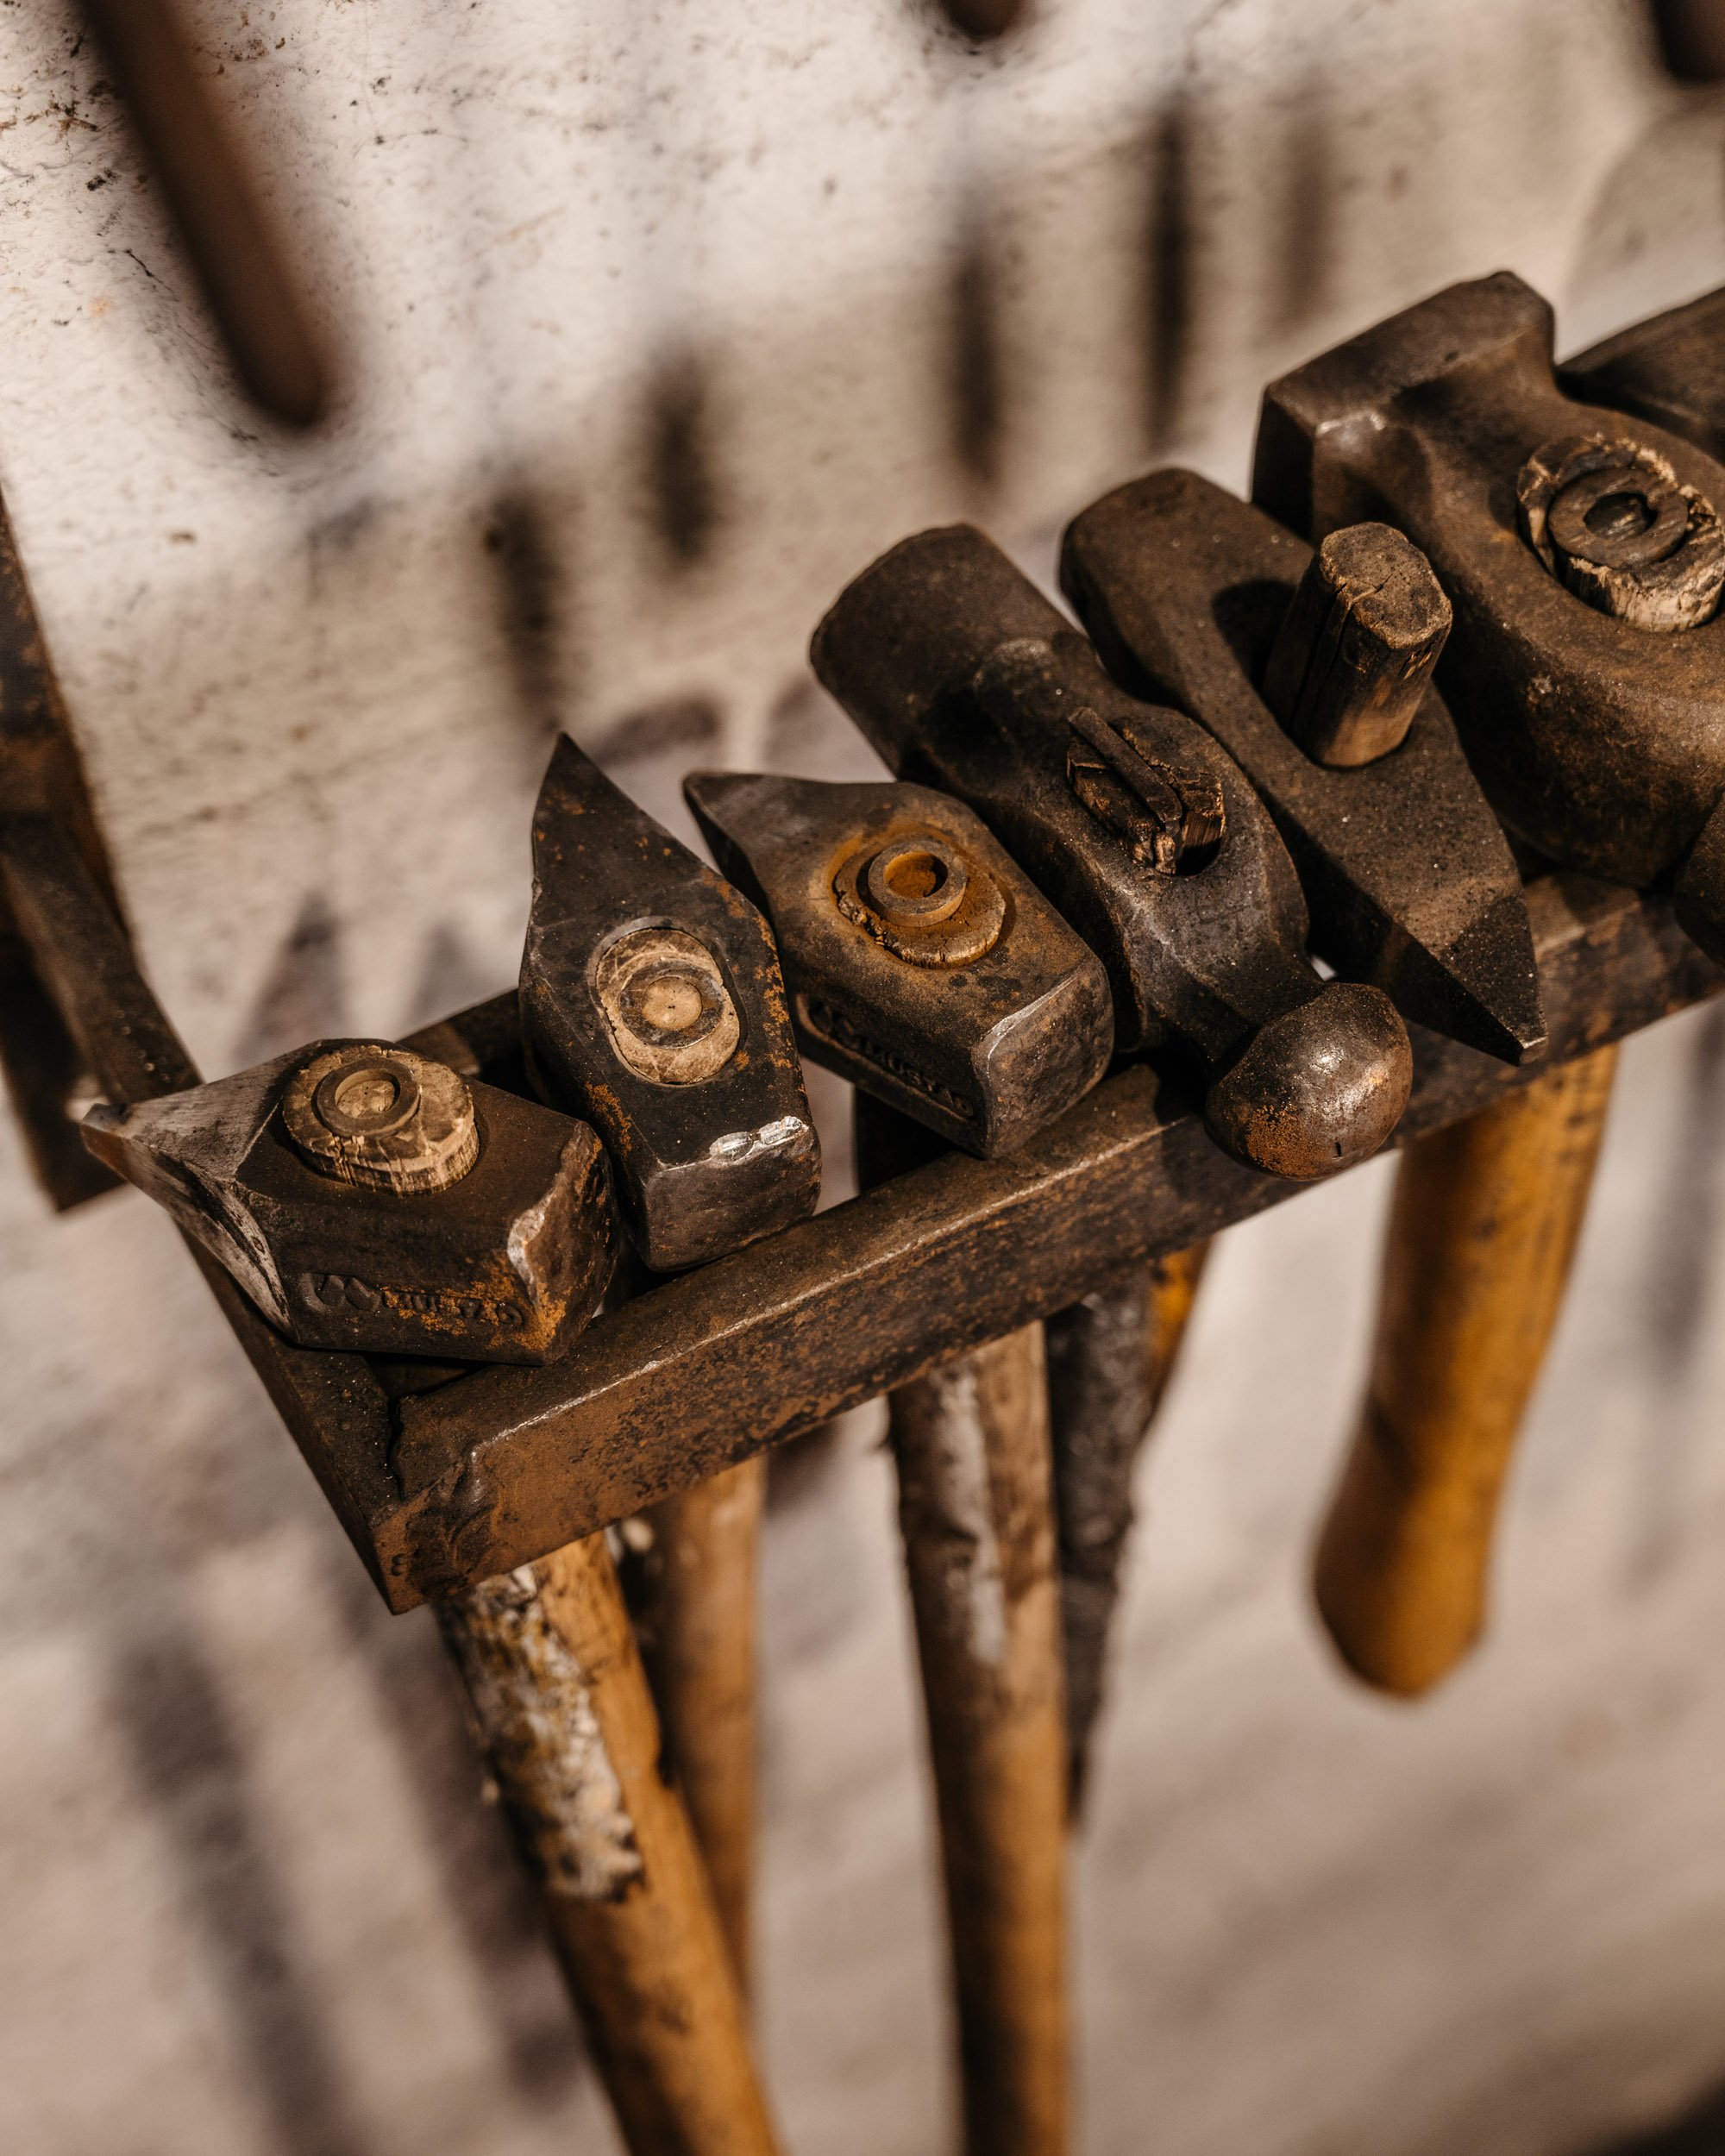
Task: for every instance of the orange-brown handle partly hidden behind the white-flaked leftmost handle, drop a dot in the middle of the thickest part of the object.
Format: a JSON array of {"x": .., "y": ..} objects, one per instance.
[{"x": 700, "y": 1646}]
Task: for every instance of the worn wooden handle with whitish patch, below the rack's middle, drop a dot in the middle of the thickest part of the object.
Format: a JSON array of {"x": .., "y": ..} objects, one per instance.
[{"x": 976, "y": 1502}]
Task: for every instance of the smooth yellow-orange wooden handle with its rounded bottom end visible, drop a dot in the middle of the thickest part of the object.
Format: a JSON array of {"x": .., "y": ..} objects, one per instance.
[{"x": 1480, "y": 1245}]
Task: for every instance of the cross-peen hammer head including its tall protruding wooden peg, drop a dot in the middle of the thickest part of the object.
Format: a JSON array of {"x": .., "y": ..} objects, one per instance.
[{"x": 1202, "y": 600}]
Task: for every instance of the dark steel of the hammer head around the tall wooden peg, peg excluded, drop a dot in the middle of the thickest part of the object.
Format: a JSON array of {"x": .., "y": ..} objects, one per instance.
[{"x": 1407, "y": 872}]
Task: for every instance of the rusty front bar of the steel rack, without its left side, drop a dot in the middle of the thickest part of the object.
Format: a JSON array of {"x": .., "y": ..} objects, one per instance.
[{"x": 762, "y": 1346}]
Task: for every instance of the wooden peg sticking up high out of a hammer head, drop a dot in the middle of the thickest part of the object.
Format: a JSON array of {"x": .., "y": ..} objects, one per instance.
[{"x": 1357, "y": 646}]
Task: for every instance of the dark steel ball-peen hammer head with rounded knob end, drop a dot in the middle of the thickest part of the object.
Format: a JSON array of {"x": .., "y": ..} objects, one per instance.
[{"x": 1135, "y": 823}]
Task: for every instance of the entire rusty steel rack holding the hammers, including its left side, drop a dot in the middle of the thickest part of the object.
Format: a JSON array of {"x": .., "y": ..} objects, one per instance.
[{"x": 452, "y": 1476}]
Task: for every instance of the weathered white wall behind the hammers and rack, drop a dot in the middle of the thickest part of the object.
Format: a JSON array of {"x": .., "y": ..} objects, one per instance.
[{"x": 661, "y": 320}]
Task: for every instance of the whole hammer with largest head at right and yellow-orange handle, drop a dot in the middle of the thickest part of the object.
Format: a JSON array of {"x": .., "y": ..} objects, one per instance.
[{"x": 1584, "y": 562}]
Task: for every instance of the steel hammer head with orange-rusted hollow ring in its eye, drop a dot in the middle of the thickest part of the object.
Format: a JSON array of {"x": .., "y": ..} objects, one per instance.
[{"x": 922, "y": 963}]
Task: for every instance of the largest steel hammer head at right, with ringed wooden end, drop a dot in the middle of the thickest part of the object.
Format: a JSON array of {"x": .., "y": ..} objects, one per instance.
[{"x": 1582, "y": 553}]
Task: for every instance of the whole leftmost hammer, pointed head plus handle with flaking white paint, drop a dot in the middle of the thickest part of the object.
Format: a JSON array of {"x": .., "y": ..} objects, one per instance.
[{"x": 434, "y": 1198}]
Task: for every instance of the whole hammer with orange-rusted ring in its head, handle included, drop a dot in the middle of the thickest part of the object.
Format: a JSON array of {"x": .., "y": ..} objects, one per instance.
[{"x": 930, "y": 971}]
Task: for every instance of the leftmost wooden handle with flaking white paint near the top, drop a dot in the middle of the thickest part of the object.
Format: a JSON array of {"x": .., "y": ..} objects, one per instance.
[{"x": 566, "y": 1717}]
